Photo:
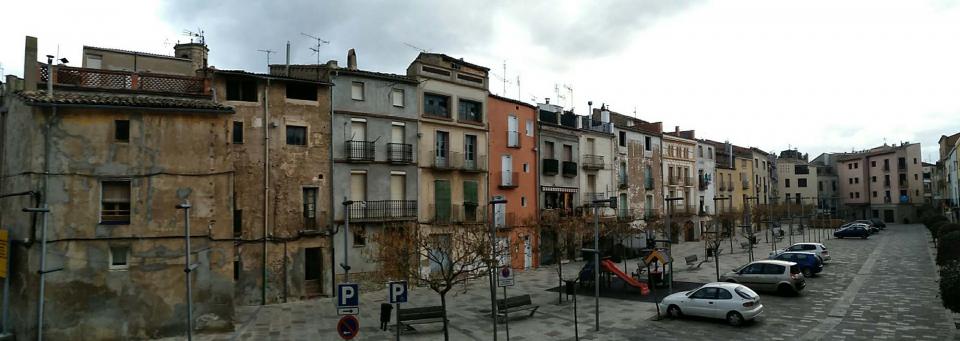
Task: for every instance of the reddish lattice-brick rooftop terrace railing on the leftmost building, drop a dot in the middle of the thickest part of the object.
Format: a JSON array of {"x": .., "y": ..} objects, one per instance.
[{"x": 77, "y": 77}]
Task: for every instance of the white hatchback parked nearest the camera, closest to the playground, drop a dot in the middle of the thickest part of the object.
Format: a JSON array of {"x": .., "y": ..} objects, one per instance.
[{"x": 733, "y": 302}]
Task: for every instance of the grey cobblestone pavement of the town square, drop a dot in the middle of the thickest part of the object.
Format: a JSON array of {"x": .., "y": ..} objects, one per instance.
[{"x": 881, "y": 288}]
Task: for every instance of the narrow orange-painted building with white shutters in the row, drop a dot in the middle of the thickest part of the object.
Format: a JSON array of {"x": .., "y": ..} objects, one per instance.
[{"x": 513, "y": 176}]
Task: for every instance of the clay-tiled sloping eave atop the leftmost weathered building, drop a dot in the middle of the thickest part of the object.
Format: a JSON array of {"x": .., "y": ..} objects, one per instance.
[{"x": 65, "y": 98}]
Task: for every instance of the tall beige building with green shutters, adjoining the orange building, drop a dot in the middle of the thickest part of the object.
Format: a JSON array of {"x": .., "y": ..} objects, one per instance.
[{"x": 453, "y": 141}]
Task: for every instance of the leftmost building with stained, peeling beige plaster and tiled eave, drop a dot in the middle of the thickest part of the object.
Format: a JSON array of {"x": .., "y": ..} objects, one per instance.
[{"x": 111, "y": 160}]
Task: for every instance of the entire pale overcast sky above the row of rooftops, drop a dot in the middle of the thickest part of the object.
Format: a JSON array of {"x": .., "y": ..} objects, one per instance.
[{"x": 816, "y": 75}]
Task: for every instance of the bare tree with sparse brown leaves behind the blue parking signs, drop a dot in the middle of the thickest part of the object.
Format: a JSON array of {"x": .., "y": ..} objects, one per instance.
[{"x": 455, "y": 254}]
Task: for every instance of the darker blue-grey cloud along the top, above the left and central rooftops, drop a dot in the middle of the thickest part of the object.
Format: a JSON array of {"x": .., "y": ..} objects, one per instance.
[{"x": 379, "y": 29}]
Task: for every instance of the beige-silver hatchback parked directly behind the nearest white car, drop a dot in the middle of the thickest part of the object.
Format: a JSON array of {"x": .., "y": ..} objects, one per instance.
[{"x": 768, "y": 275}]
